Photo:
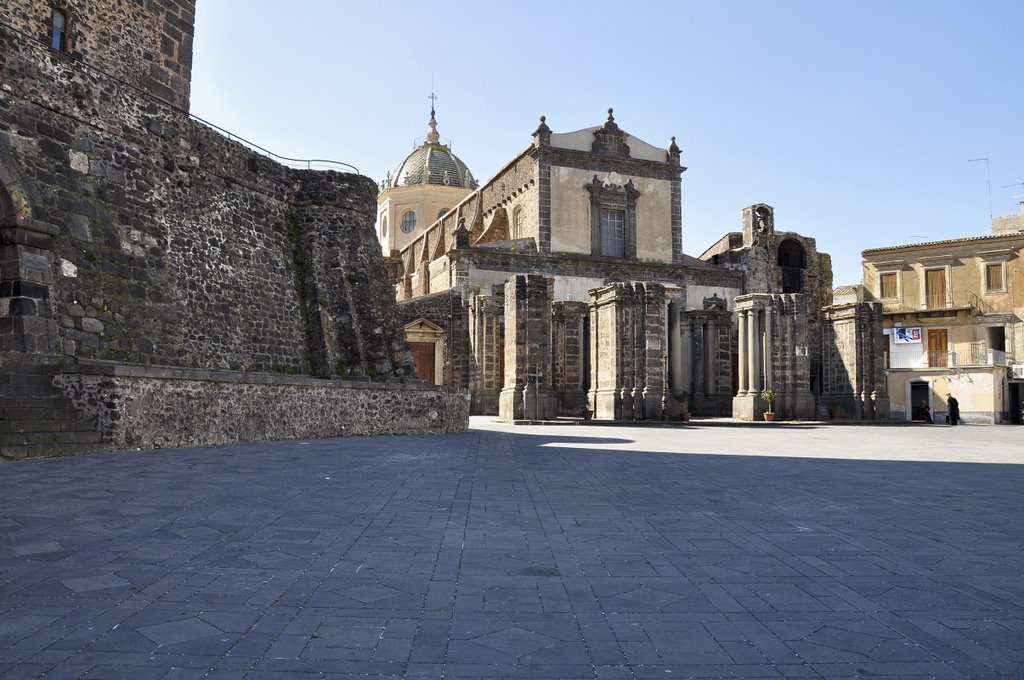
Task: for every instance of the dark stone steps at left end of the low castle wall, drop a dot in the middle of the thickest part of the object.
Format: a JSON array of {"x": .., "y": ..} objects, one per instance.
[{"x": 36, "y": 420}]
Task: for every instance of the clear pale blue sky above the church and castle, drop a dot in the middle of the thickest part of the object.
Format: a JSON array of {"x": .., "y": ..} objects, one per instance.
[{"x": 856, "y": 120}]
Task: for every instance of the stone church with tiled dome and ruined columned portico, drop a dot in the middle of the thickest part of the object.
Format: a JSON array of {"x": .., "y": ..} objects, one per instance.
[{"x": 561, "y": 286}]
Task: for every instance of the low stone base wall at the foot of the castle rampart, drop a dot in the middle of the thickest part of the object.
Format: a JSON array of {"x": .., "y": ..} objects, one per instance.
[{"x": 146, "y": 408}]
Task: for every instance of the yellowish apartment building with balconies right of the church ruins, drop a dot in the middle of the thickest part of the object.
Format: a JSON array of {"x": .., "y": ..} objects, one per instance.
[{"x": 954, "y": 321}]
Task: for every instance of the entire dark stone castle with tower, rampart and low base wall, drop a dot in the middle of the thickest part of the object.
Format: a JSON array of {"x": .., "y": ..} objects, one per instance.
[{"x": 179, "y": 282}]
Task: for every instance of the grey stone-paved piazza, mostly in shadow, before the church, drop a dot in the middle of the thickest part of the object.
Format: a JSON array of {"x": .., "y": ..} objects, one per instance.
[{"x": 710, "y": 550}]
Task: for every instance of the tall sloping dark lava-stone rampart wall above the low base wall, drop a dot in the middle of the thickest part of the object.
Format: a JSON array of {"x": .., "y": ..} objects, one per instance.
[{"x": 180, "y": 247}]
